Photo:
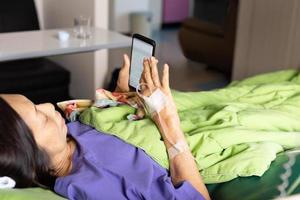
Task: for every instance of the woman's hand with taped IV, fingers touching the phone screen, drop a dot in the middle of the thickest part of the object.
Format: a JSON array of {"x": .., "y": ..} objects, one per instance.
[{"x": 167, "y": 120}]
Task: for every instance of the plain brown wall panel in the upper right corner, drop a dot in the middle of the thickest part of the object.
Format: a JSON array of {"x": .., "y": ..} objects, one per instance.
[{"x": 267, "y": 37}]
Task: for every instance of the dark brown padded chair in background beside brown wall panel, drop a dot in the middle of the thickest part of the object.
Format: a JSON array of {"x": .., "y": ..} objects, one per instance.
[{"x": 210, "y": 43}]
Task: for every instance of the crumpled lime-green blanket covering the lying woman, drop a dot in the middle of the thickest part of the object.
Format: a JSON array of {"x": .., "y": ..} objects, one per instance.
[{"x": 232, "y": 132}]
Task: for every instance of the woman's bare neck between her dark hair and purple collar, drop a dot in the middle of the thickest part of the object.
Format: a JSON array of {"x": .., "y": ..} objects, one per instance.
[{"x": 62, "y": 163}]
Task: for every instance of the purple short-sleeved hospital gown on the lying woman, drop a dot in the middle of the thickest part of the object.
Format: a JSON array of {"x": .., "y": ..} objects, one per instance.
[{"x": 105, "y": 167}]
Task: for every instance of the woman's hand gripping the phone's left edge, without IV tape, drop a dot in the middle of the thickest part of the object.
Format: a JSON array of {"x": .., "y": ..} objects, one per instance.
[{"x": 123, "y": 79}]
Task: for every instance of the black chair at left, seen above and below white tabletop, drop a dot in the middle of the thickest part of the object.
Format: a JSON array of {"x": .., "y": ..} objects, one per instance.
[{"x": 40, "y": 79}]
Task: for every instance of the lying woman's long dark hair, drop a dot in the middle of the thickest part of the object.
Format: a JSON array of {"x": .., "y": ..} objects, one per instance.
[{"x": 20, "y": 157}]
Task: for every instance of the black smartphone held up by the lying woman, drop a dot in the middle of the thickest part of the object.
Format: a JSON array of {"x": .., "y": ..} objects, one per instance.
[{"x": 141, "y": 47}]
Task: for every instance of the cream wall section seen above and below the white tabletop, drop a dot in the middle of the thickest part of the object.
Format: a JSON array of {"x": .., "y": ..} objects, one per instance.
[{"x": 88, "y": 70}]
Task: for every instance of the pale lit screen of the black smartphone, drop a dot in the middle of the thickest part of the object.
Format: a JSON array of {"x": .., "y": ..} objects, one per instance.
[{"x": 140, "y": 50}]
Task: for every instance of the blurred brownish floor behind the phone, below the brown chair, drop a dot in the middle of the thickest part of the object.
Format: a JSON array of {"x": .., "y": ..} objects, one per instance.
[{"x": 185, "y": 75}]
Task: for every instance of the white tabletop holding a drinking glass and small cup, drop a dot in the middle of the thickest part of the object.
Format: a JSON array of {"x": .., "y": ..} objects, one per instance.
[{"x": 41, "y": 43}]
